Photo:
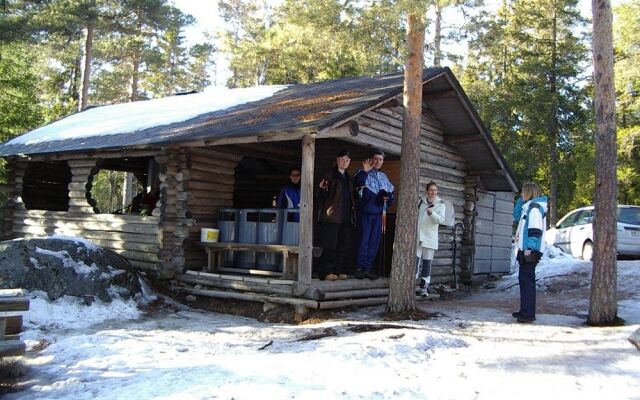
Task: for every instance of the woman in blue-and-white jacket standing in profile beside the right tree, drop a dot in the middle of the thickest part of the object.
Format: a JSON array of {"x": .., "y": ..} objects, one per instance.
[{"x": 529, "y": 212}]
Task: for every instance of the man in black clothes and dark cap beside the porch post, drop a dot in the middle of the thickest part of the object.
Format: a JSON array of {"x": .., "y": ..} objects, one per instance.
[{"x": 335, "y": 218}]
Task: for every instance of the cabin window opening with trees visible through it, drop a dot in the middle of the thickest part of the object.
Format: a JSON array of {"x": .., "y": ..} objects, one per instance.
[{"x": 124, "y": 186}]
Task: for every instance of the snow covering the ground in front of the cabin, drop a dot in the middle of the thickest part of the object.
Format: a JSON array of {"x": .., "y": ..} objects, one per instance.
[{"x": 472, "y": 350}]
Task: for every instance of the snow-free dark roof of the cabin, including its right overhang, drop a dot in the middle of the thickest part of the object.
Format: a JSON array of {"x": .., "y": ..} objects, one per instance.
[{"x": 308, "y": 109}]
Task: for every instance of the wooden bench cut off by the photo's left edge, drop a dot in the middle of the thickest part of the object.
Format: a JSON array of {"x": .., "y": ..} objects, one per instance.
[{"x": 12, "y": 305}]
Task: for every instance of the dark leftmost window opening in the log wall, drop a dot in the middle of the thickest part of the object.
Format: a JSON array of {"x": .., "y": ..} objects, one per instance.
[{"x": 45, "y": 186}]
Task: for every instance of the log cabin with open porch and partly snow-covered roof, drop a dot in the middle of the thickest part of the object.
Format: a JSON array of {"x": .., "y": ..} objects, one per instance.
[{"x": 207, "y": 152}]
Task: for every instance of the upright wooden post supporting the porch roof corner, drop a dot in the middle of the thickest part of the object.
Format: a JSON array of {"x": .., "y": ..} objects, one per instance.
[{"x": 306, "y": 210}]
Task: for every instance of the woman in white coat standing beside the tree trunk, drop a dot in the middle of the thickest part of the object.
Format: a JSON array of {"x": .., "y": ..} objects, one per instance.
[{"x": 431, "y": 214}]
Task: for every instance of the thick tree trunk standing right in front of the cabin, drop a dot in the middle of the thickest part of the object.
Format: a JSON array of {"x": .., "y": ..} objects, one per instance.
[{"x": 403, "y": 270}]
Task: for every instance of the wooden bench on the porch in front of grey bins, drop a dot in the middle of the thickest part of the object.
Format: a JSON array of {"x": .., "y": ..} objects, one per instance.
[{"x": 216, "y": 250}]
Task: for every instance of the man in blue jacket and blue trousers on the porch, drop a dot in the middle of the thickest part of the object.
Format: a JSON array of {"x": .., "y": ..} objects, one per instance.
[{"x": 375, "y": 193}]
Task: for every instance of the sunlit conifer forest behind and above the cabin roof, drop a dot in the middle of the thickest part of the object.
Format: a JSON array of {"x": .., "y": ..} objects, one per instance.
[{"x": 525, "y": 64}]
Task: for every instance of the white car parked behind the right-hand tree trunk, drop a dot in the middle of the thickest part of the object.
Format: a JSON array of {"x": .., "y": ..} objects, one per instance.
[{"x": 574, "y": 232}]
